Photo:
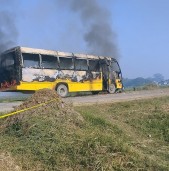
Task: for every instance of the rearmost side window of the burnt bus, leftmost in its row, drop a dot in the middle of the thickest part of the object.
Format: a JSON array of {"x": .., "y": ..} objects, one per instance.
[{"x": 31, "y": 60}]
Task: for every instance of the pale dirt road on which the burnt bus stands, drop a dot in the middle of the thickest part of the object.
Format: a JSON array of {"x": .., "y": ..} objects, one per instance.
[{"x": 102, "y": 98}]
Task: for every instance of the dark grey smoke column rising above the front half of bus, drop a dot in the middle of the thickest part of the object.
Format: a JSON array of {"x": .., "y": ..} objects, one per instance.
[{"x": 96, "y": 19}]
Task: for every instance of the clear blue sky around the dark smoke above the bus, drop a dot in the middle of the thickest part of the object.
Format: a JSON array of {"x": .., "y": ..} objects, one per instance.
[{"x": 141, "y": 30}]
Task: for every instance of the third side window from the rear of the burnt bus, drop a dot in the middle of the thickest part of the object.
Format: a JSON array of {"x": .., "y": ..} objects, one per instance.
[{"x": 66, "y": 63}]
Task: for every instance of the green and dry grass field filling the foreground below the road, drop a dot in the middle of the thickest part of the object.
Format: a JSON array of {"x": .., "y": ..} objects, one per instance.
[{"x": 120, "y": 136}]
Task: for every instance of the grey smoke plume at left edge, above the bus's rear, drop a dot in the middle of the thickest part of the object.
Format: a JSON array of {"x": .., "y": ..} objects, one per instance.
[{"x": 8, "y": 30}]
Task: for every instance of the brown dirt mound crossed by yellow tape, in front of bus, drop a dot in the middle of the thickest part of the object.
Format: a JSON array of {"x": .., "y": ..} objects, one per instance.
[{"x": 51, "y": 104}]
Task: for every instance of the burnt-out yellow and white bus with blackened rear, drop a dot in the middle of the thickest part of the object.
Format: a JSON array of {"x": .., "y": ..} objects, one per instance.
[{"x": 23, "y": 68}]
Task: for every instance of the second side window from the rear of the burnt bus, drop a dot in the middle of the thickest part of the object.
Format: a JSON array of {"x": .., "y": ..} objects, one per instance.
[{"x": 49, "y": 62}]
